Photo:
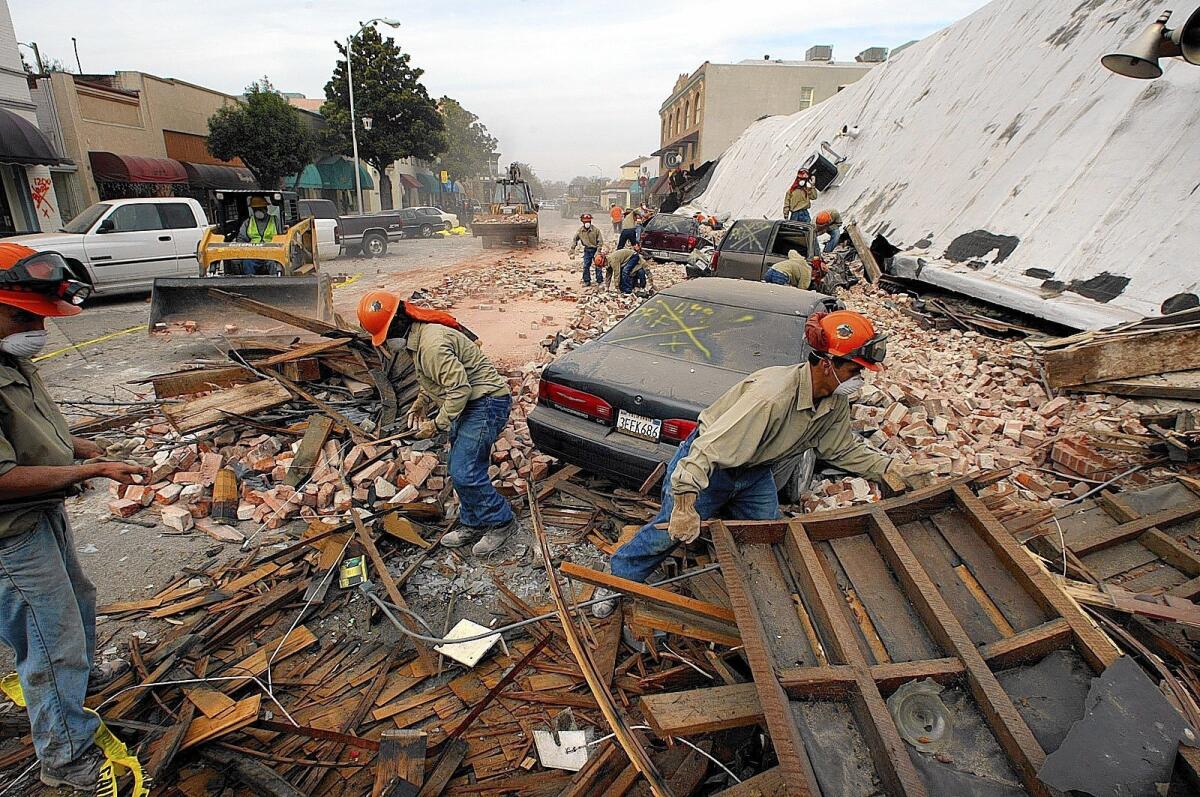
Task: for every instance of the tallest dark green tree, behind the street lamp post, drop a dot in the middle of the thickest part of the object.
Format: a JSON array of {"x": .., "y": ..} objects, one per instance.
[{"x": 388, "y": 89}]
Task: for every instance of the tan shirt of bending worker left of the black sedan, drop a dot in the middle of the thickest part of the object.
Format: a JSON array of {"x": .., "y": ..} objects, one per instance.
[{"x": 452, "y": 370}]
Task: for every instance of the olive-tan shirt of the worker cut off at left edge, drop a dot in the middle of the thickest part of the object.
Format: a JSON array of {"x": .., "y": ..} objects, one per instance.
[{"x": 33, "y": 433}]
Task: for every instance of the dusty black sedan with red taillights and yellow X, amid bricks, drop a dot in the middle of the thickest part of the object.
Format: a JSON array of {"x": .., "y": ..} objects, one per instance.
[{"x": 620, "y": 405}]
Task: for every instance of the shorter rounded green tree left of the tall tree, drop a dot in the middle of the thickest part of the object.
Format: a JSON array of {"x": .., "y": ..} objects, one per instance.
[{"x": 266, "y": 133}]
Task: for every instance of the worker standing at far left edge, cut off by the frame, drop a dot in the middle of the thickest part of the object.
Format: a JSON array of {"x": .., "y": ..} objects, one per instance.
[{"x": 47, "y": 604}]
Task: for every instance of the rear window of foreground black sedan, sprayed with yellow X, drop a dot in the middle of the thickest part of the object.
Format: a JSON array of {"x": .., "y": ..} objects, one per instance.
[{"x": 741, "y": 339}]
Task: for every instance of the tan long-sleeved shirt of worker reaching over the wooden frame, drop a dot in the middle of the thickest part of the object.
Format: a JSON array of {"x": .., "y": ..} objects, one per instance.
[{"x": 767, "y": 417}]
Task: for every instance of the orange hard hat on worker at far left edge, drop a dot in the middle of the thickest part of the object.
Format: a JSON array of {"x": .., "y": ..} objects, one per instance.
[{"x": 39, "y": 283}]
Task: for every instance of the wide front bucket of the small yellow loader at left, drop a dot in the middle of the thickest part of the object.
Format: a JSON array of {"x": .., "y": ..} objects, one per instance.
[{"x": 178, "y": 301}]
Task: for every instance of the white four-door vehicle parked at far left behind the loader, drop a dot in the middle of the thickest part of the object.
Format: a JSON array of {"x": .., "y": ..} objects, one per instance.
[{"x": 122, "y": 245}]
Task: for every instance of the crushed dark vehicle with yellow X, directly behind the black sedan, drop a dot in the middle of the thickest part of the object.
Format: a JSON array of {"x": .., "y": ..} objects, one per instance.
[{"x": 751, "y": 247}]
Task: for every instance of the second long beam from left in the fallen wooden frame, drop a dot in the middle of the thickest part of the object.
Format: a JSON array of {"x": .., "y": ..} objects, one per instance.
[{"x": 889, "y": 750}]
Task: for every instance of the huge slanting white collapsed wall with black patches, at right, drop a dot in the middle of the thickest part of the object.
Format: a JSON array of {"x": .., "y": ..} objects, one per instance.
[{"x": 1006, "y": 164}]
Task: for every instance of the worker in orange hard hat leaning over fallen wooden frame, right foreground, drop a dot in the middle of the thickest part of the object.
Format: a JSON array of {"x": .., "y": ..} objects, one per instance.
[{"x": 725, "y": 465}]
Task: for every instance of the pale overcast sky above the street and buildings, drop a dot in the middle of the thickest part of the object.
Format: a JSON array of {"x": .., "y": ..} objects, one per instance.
[{"x": 563, "y": 86}]
